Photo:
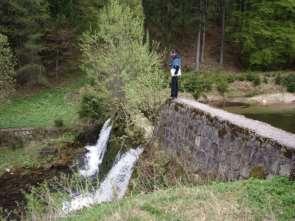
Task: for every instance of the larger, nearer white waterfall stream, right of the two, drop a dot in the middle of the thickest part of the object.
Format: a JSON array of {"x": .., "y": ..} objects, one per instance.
[{"x": 113, "y": 187}]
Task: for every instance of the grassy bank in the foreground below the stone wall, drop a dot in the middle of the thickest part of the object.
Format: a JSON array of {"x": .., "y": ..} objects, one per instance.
[{"x": 243, "y": 200}]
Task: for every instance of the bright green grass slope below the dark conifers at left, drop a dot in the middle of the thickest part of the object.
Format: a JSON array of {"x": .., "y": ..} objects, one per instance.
[{"x": 43, "y": 108}]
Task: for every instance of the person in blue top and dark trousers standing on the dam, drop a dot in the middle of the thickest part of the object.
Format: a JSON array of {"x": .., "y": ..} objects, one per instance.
[{"x": 175, "y": 70}]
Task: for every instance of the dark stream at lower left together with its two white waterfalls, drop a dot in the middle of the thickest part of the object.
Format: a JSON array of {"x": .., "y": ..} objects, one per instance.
[{"x": 113, "y": 183}]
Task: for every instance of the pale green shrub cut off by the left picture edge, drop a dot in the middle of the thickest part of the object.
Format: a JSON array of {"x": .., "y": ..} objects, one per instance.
[{"x": 7, "y": 64}]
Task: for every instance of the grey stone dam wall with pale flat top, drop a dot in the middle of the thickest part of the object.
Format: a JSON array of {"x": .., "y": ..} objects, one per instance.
[{"x": 222, "y": 145}]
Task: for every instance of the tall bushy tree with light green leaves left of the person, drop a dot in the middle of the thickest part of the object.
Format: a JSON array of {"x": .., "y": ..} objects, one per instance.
[{"x": 116, "y": 58}]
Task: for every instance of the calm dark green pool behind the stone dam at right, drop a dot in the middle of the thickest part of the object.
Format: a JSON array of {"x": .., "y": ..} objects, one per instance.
[{"x": 281, "y": 116}]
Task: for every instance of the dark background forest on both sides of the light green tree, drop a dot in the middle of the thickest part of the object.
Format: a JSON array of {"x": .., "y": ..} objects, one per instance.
[{"x": 40, "y": 38}]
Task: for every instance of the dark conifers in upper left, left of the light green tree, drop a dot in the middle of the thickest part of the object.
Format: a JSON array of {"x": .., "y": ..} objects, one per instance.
[{"x": 44, "y": 34}]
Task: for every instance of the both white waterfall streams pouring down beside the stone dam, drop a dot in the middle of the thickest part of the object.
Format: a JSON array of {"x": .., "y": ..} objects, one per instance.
[{"x": 115, "y": 183}]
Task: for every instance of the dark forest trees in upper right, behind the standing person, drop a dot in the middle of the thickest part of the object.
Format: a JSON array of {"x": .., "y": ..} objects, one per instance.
[{"x": 263, "y": 30}]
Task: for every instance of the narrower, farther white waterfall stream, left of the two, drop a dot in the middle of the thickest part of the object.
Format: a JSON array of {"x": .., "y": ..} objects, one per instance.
[{"x": 95, "y": 154}]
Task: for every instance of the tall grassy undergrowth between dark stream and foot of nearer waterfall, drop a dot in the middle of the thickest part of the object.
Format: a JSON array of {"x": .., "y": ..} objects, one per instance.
[{"x": 48, "y": 200}]
